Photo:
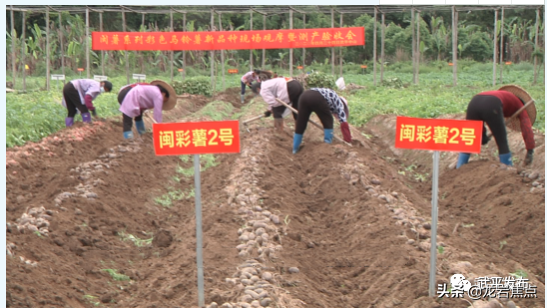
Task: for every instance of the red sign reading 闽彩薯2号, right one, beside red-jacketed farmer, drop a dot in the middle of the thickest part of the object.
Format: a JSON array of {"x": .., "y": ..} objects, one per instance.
[{"x": 438, "y": 135}]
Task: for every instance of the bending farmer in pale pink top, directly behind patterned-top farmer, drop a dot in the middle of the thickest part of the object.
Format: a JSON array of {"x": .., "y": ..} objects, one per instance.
[{"x": 285, "y": 89}]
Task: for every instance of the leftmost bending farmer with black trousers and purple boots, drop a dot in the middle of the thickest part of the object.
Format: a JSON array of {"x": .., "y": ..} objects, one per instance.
[{"x": 79, "y": 94}]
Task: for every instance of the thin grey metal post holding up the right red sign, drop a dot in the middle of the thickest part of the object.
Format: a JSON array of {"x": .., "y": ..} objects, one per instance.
[{"x": 434, "y": 218}]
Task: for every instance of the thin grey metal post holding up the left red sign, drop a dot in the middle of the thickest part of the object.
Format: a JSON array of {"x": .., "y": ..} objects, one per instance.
[{"x": 199, "y": 231}]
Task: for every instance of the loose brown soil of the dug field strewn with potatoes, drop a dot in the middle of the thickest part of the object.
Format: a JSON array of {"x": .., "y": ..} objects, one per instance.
[{"x": 353, "y": 224}]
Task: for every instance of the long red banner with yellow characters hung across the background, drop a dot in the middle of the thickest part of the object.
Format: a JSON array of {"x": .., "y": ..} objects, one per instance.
[{"x": 225, "y": 40}]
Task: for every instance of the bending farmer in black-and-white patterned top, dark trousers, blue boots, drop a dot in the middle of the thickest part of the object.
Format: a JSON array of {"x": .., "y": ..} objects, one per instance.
[{"x": 324, "y": 102}]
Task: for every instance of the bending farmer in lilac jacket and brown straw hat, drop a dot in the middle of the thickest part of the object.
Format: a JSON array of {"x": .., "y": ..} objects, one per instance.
[{"x": 135, "y": 99}]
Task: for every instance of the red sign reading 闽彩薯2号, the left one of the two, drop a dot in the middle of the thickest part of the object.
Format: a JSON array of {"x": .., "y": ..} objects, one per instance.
[{"x": 196, "y": 137}]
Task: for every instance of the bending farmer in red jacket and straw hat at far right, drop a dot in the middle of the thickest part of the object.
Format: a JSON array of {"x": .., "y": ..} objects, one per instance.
[{"x": 491, "y": 107}]
